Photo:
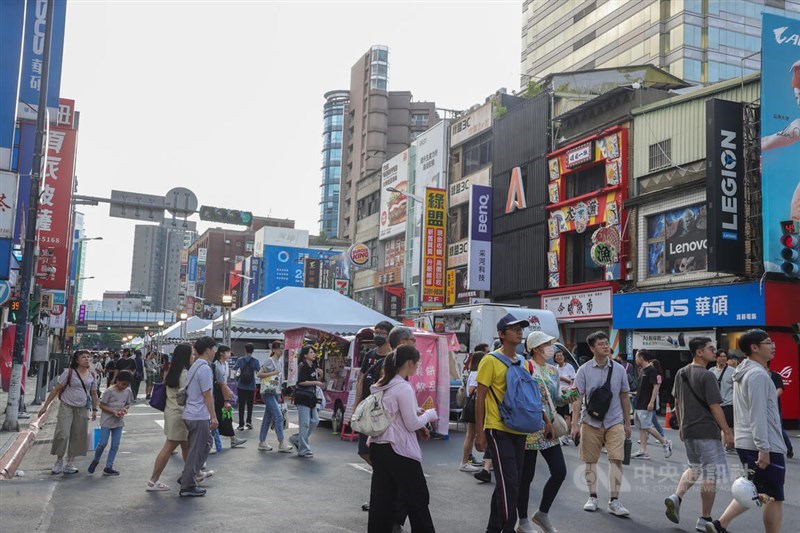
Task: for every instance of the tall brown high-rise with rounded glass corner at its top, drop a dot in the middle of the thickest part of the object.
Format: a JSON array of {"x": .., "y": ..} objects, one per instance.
[{"x": 378, "y": 125}]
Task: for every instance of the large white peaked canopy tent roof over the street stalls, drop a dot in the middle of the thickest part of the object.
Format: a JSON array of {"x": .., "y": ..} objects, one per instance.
[{"x": 299, "y": 307}]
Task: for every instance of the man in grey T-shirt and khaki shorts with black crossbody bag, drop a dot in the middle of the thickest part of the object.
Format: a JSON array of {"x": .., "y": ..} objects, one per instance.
[{"x": 594, "y": 380}]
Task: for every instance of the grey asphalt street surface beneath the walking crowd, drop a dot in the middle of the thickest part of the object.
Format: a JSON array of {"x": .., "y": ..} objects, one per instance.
[{"x": 267, "y": 491}]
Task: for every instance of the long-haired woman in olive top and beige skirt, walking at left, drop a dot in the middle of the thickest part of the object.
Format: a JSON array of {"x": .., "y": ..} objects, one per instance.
[{"x": 174, "y": 427}]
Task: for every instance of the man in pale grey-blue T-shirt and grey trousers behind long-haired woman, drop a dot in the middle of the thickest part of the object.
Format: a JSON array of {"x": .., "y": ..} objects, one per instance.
[{"x": 199, "y": 416}]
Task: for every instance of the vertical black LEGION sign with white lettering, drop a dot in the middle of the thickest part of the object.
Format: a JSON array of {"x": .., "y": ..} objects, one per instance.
[{"x": 725, "y": 186}]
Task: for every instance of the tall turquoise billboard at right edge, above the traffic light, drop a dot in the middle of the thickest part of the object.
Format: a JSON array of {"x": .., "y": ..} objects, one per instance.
[{"x": 780, "y": 130}]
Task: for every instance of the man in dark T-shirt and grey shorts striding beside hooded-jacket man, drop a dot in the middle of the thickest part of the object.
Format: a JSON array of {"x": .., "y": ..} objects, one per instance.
[{"x": 697, "y": 406}]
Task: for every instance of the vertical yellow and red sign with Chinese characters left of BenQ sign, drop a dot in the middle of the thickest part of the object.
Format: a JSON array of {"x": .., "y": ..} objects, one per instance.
[{"x": 433, "y": 252}]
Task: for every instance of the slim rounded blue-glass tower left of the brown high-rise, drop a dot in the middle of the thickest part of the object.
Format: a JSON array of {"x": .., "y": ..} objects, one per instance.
[{"x": 336, "y": 103}]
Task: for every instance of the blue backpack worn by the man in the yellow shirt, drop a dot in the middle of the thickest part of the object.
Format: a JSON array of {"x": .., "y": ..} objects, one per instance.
[{"x": 521, "y": 408}]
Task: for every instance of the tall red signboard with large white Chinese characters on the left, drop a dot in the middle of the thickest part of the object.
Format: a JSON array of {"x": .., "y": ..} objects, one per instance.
[{"x": 53, "y": 223}]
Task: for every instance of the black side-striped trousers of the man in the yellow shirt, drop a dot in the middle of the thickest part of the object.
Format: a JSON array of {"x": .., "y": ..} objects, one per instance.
[{"x": 508, "y": 451}]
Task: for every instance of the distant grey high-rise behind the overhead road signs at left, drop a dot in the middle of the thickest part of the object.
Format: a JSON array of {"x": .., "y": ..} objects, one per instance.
[{"x": 155, "y": 268}]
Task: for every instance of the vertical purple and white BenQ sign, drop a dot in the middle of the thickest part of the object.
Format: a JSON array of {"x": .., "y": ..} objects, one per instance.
[{"x": 479, "y": 267}]
